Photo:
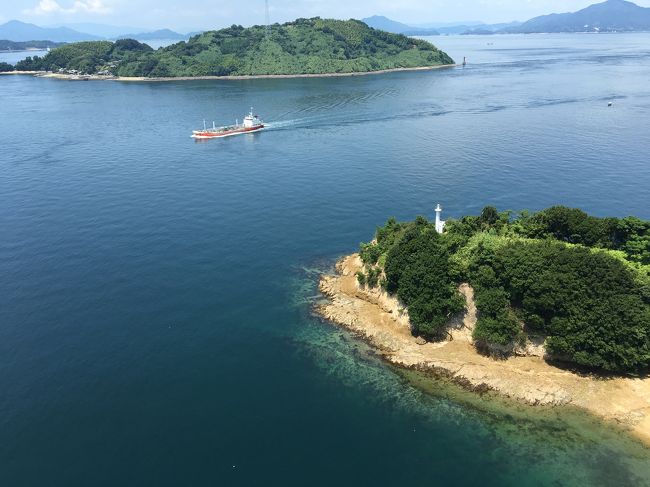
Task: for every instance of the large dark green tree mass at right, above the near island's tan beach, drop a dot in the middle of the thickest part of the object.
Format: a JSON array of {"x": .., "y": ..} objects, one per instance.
[{"x": 590, "y": 304}]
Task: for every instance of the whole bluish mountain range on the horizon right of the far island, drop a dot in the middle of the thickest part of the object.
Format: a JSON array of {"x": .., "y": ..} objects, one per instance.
[{"x": 609, "y": 16}]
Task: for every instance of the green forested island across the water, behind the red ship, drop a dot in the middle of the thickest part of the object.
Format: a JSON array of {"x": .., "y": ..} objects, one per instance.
[{"x": 302, "y": 47}]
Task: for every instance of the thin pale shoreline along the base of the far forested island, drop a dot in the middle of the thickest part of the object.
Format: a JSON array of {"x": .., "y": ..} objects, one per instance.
[{"x": 96, "y": 77}]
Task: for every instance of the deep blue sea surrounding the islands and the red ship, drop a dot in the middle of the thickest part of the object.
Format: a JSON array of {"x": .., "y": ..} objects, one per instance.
[{"x": 156, "y": 293}]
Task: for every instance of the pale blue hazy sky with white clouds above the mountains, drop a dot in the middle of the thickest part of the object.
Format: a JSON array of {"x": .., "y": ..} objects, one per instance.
[{"x": 192, "y": 15}]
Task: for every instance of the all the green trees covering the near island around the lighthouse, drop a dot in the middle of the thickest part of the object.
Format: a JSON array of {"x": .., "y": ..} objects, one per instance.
[{"x": 580, "y": 281}]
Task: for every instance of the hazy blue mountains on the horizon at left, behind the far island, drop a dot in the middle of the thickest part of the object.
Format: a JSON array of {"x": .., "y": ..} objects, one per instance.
[{"x": 17, "y": 31}]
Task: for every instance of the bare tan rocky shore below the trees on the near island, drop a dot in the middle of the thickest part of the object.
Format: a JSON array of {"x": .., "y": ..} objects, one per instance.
[{"x": 380, "y": 320}]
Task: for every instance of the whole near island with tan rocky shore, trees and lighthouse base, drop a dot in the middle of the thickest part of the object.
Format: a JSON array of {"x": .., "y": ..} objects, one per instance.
[{"x": 551, "y": 308}]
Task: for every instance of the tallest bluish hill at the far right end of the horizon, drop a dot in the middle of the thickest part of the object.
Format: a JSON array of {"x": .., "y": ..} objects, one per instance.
[{"x": 609, "y": 16}]
